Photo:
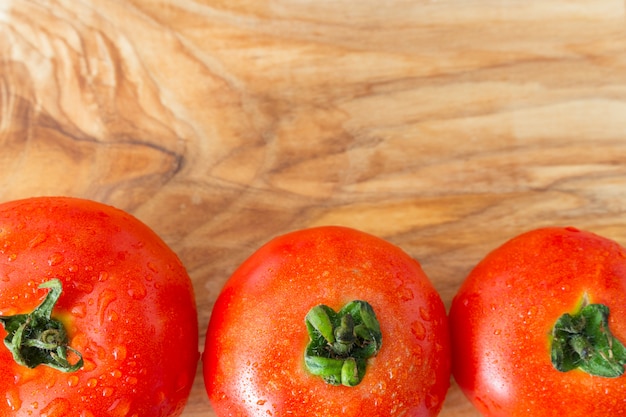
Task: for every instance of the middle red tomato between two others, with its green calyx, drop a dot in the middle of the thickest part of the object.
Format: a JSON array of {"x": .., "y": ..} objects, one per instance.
[{"x": 325, "y": 322}]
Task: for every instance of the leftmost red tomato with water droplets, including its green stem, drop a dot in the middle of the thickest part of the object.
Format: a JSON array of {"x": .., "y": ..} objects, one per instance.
[{"x": 104, "y": 308}]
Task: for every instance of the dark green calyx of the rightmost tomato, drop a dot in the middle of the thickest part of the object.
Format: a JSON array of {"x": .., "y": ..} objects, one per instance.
[{"x": 583, "y": 341}]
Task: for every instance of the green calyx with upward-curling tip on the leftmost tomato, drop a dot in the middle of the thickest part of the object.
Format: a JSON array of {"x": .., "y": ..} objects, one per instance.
[{"x": 38, "y": 339}]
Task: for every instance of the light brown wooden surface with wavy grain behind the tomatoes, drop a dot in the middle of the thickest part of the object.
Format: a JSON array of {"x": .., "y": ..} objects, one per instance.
[{"x": 446, "y": 127}]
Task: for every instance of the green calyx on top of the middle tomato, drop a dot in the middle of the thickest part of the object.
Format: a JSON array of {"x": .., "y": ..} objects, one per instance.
[{"x": 341, "y": 342}]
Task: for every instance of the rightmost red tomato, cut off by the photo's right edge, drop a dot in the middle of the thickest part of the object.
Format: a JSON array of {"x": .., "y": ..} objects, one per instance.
[{"x": 538, "y": 327}]
